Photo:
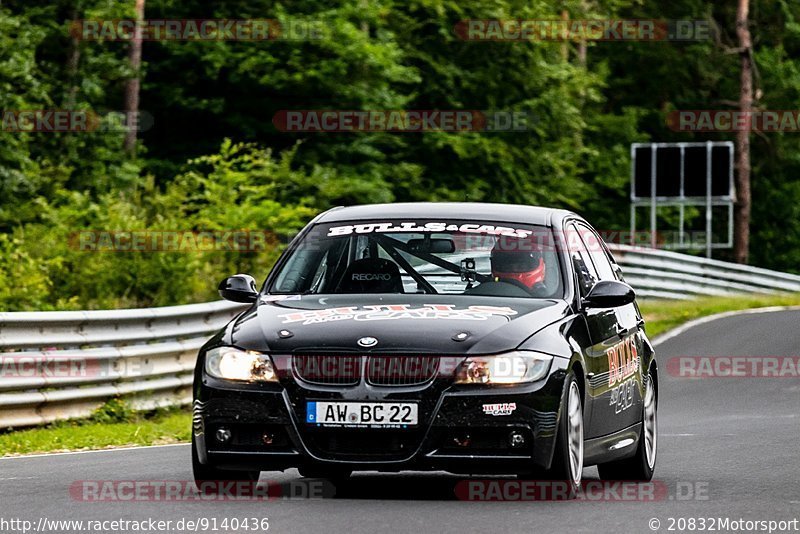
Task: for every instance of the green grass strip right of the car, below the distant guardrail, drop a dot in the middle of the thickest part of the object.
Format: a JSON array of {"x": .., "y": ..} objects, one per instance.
[{"x": 662, "y": 315}]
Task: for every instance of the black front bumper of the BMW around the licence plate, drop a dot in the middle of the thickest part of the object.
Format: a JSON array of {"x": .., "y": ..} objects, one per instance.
[{"x": 268, "y": 429}]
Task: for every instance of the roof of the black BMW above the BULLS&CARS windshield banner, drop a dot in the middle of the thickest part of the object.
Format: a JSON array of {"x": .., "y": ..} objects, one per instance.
[{"x": 512, "y": 213}]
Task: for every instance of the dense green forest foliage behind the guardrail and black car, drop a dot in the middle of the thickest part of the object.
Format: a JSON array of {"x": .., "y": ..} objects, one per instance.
[{"x": 213, "y": 158}]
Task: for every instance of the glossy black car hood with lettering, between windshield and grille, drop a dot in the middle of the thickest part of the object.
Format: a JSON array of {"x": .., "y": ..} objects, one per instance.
[{"x": 432, "y": 324}]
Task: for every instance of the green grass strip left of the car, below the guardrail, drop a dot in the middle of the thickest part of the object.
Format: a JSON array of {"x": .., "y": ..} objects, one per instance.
[{"x": 163, "y": 428}]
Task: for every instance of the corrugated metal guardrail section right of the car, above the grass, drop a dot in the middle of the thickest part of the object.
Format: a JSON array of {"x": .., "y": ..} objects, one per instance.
[{"x": 663, "y": 274}]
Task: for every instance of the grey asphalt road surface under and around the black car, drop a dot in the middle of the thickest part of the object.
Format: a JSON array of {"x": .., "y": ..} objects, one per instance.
[{"x": 728, "y": 448}]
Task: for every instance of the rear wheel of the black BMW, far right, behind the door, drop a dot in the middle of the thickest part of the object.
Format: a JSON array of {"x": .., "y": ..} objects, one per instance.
[{"x": 641, "y": 466}]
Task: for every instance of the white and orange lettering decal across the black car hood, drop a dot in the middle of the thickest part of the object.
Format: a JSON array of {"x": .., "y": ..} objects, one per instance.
[{"x": 393, "y": 312}]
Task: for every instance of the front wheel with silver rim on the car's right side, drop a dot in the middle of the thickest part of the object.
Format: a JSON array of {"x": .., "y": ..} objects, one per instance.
[{"x": 567, "y": 465}]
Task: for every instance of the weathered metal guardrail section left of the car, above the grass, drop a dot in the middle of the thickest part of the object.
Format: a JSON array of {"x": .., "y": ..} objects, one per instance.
[{"x": 61, "y": 365}]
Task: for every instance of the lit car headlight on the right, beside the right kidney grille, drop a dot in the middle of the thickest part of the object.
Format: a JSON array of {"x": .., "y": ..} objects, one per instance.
[{"x": 517, "y": 367}]
